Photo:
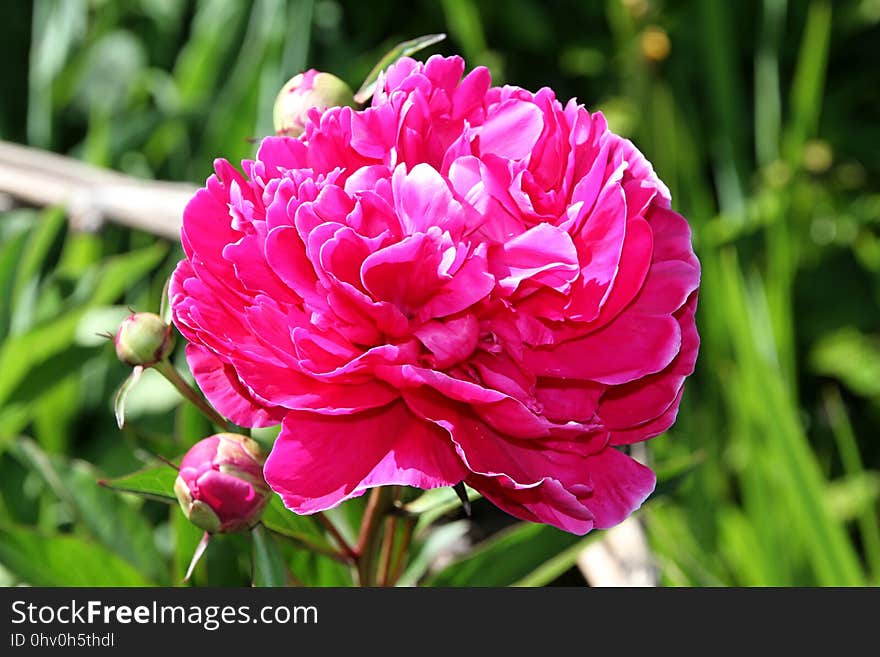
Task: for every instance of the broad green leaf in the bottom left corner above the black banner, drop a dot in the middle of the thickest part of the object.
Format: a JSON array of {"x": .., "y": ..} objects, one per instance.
[{"x": 63, "y": 560}]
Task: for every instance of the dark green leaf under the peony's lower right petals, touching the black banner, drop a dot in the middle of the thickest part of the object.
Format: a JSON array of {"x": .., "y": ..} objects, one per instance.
[{"x": 507, "y": 557}]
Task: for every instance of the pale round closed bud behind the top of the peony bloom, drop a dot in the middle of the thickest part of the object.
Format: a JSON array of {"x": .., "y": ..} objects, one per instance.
[{"x": 303, "y": 92}]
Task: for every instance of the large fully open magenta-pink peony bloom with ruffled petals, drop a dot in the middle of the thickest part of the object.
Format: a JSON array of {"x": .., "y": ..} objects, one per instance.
[{"x": 458, "y": 283}]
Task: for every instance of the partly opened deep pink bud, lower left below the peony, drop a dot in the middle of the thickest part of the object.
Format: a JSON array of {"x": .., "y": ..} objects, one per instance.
[{"x": 220, "y": 485}]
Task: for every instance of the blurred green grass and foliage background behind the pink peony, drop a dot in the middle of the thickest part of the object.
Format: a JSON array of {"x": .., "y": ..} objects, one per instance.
[{"x": 762, "y": 117}]
